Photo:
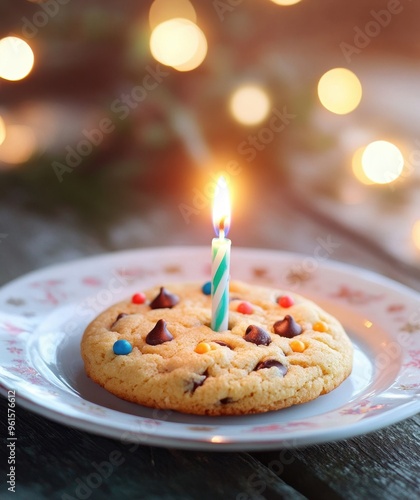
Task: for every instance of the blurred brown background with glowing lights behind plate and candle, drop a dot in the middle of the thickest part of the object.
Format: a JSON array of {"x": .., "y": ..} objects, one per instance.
[{"x": 116, "y": 119}]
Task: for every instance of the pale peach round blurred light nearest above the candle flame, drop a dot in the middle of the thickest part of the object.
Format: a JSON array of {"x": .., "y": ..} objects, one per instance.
[{"x": 250, "y": 105}]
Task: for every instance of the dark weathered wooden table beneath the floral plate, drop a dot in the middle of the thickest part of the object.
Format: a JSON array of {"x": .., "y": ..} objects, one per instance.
[{"x": 58, "y": 462}]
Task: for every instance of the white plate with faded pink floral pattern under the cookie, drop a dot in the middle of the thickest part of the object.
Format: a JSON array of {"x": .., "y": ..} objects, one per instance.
[{"x": 43, "y": 315}]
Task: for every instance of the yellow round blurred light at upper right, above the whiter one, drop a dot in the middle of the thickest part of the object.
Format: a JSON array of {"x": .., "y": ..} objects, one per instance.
[{"x": 340, "y": 91}]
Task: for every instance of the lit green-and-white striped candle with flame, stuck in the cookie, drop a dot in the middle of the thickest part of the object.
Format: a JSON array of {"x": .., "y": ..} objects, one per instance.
[{"x": 220, "y": 259}]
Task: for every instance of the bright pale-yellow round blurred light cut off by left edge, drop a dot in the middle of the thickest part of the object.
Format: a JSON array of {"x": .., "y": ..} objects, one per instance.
[{"x": 16, "y": 58}]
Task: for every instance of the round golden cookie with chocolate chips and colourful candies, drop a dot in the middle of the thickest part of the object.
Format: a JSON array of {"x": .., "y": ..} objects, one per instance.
[{"x": 158, "y": 350}]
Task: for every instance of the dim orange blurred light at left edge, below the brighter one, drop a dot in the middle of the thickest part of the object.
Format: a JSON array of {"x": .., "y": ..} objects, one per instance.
[{"x": 19, "y": 145}]
